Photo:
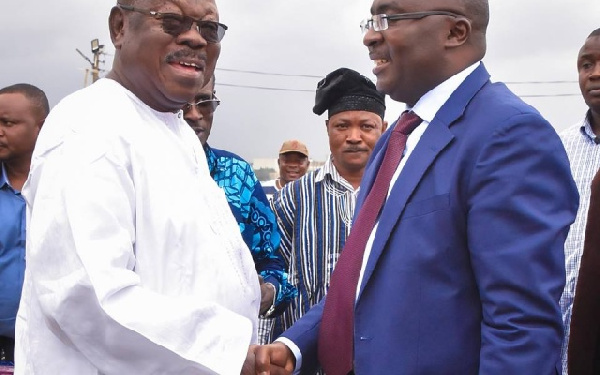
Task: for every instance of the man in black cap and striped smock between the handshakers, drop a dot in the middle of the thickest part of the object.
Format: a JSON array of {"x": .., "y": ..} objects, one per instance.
[{"x": 314, "y": 213}]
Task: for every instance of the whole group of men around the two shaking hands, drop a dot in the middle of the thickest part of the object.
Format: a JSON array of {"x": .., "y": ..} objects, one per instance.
[{"x": 437, "y": 245}]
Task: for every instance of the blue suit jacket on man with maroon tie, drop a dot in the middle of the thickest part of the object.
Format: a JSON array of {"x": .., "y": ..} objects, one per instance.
[{"x": 467, "y": 265}]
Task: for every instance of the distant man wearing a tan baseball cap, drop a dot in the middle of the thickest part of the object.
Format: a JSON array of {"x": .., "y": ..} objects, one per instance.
[{"x": 293, "y": 163}]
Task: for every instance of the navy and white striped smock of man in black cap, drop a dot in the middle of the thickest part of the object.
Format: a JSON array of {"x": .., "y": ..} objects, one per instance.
[{"x": 314, "y": 214}]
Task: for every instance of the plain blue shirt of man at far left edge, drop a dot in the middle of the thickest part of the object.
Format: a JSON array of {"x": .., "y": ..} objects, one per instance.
[{"x": 12, "y": 254}]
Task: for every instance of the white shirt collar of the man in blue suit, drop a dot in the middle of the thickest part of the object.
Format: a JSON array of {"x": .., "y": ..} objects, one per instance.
[{"x": 430, "y": 103}]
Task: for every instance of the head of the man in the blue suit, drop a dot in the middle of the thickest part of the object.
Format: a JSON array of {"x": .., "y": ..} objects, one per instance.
[{"x": 413, "y": 57}]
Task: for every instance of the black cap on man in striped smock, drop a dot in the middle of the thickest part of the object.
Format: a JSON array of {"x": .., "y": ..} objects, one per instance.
[{"x": 347, "y": 90}]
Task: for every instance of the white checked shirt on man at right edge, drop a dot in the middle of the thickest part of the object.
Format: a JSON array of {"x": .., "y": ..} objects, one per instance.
[{"x": 583, "y": 148}]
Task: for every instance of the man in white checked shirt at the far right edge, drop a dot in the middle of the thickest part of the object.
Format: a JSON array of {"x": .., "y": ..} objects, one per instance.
[{"x": 583, "y": 148}]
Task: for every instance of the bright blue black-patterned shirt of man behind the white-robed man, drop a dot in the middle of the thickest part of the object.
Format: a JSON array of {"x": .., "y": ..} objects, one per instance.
[{"x": 251, "y": 209}]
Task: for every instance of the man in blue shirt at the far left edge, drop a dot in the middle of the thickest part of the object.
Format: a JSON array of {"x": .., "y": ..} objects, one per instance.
[{"x": 23, "y": 108}]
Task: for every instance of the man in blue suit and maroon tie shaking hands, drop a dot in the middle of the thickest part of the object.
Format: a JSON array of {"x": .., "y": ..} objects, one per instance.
[{"x": 463, "y": 270}]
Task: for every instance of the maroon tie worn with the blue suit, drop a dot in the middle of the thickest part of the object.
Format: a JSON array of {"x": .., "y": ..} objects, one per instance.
[{"x": 337, "y": 323}]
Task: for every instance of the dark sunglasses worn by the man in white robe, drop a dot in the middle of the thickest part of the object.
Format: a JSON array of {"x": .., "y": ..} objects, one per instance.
[{"x": 175, "y": 24}]
